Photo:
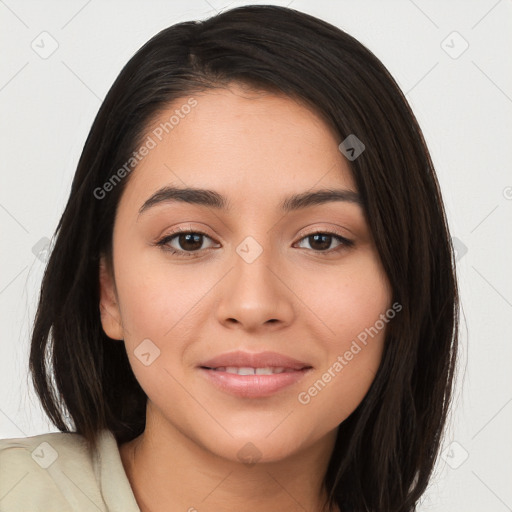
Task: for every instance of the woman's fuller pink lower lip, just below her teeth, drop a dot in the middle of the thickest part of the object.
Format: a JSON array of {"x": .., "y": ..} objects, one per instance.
[{"x": 253, "y": 386}]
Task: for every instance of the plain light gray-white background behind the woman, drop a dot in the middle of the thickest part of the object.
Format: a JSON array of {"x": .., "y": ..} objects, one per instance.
[{"x": 463, "y": 102}]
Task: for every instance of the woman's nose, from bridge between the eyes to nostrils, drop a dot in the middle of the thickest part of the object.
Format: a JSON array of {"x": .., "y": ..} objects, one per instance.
[{"x": 255, "y": 295}]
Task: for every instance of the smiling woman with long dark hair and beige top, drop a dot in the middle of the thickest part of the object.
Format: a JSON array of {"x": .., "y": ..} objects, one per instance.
[{"x": 251, "y": 300}]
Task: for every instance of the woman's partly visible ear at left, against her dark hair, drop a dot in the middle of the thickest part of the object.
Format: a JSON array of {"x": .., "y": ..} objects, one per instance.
[{"x": 109, "y": 307}]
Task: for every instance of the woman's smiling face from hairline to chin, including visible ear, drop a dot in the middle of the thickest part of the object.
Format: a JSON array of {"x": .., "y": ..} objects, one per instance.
[{"x": 246, "y": 321}]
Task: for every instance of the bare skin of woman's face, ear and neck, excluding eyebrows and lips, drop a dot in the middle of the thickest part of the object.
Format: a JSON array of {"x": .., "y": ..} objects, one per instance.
[{"x": 255, "y": 148}]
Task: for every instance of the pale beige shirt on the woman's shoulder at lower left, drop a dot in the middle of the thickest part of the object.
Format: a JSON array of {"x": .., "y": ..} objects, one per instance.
[{"x": 56, "y": 473}]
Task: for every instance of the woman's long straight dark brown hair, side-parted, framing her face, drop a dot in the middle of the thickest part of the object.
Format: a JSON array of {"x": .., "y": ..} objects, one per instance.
[{"x": 386, "y": 449}]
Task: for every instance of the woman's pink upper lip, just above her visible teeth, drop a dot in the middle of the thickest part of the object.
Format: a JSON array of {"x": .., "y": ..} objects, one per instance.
[{"x": 242, "y": 359}]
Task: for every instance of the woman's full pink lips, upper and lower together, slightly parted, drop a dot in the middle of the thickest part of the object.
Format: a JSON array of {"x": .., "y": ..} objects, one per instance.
[{"x": 253, "y": 386}]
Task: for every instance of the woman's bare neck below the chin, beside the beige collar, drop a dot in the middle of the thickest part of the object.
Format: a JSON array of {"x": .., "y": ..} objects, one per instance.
[{"x": 169, "y": 471}]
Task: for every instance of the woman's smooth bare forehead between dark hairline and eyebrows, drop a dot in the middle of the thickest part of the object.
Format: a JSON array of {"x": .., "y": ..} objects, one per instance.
[{"x": 251, "y": 146}]
